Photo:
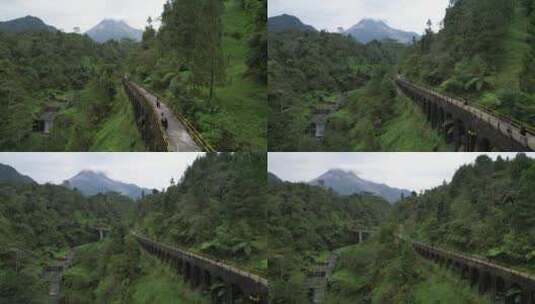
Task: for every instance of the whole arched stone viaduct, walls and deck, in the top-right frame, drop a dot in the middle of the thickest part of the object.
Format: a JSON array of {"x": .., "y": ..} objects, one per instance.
[{"x": 468, "y": 127}]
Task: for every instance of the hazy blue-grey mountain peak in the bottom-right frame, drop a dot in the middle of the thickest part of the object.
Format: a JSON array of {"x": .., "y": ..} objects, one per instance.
[{"x": 347, "y": 183}]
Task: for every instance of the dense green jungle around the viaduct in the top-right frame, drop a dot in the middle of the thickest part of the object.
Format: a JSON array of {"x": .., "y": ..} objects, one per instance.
[{"x": 483, "y": 53}]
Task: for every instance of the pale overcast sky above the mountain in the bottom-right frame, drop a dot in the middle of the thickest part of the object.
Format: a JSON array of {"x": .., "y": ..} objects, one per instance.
[{"x": 413, "y": 171}]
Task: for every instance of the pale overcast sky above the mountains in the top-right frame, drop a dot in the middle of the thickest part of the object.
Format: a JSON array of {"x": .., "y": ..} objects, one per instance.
[{"x": 409, "y": 15}]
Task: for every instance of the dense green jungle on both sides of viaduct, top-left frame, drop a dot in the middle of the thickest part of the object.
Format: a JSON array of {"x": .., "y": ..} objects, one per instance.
[{"x": 220, "y": 90}]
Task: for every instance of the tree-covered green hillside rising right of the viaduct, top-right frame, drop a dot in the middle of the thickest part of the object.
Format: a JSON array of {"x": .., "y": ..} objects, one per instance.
[{"x": 485, "y": 48}]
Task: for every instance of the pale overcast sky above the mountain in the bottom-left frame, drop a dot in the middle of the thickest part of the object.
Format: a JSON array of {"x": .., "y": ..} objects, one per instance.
[{"x": 150, "y": 170}]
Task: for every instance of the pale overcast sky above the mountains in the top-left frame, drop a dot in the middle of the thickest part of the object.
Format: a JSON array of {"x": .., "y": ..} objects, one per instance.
[{"x": 66, "y": 14}]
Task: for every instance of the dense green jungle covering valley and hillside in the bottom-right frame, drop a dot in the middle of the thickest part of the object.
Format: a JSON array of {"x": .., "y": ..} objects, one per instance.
[{"x": 486, "y": 211}]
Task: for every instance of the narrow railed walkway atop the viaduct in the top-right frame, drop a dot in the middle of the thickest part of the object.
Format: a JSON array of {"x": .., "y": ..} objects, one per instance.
[{"x": 500, "y": 123}]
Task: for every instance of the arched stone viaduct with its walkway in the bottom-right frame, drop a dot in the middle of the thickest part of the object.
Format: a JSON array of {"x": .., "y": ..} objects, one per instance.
[{"x": 503, "y": 284}]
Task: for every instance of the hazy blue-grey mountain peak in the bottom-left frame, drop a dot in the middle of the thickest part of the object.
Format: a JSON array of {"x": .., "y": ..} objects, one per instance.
[{"x": 90, "y": 183}]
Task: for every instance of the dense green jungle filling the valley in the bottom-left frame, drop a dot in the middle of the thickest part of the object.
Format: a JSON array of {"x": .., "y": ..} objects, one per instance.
[{"x": 216, "y": 209}]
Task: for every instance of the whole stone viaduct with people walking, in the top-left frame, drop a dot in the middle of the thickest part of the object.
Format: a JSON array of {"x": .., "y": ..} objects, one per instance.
[{"x": 178, "y": 135}]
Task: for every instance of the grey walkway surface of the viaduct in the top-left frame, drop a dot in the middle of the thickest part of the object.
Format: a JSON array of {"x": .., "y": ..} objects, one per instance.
[{"x": 177, "y": 135}]
